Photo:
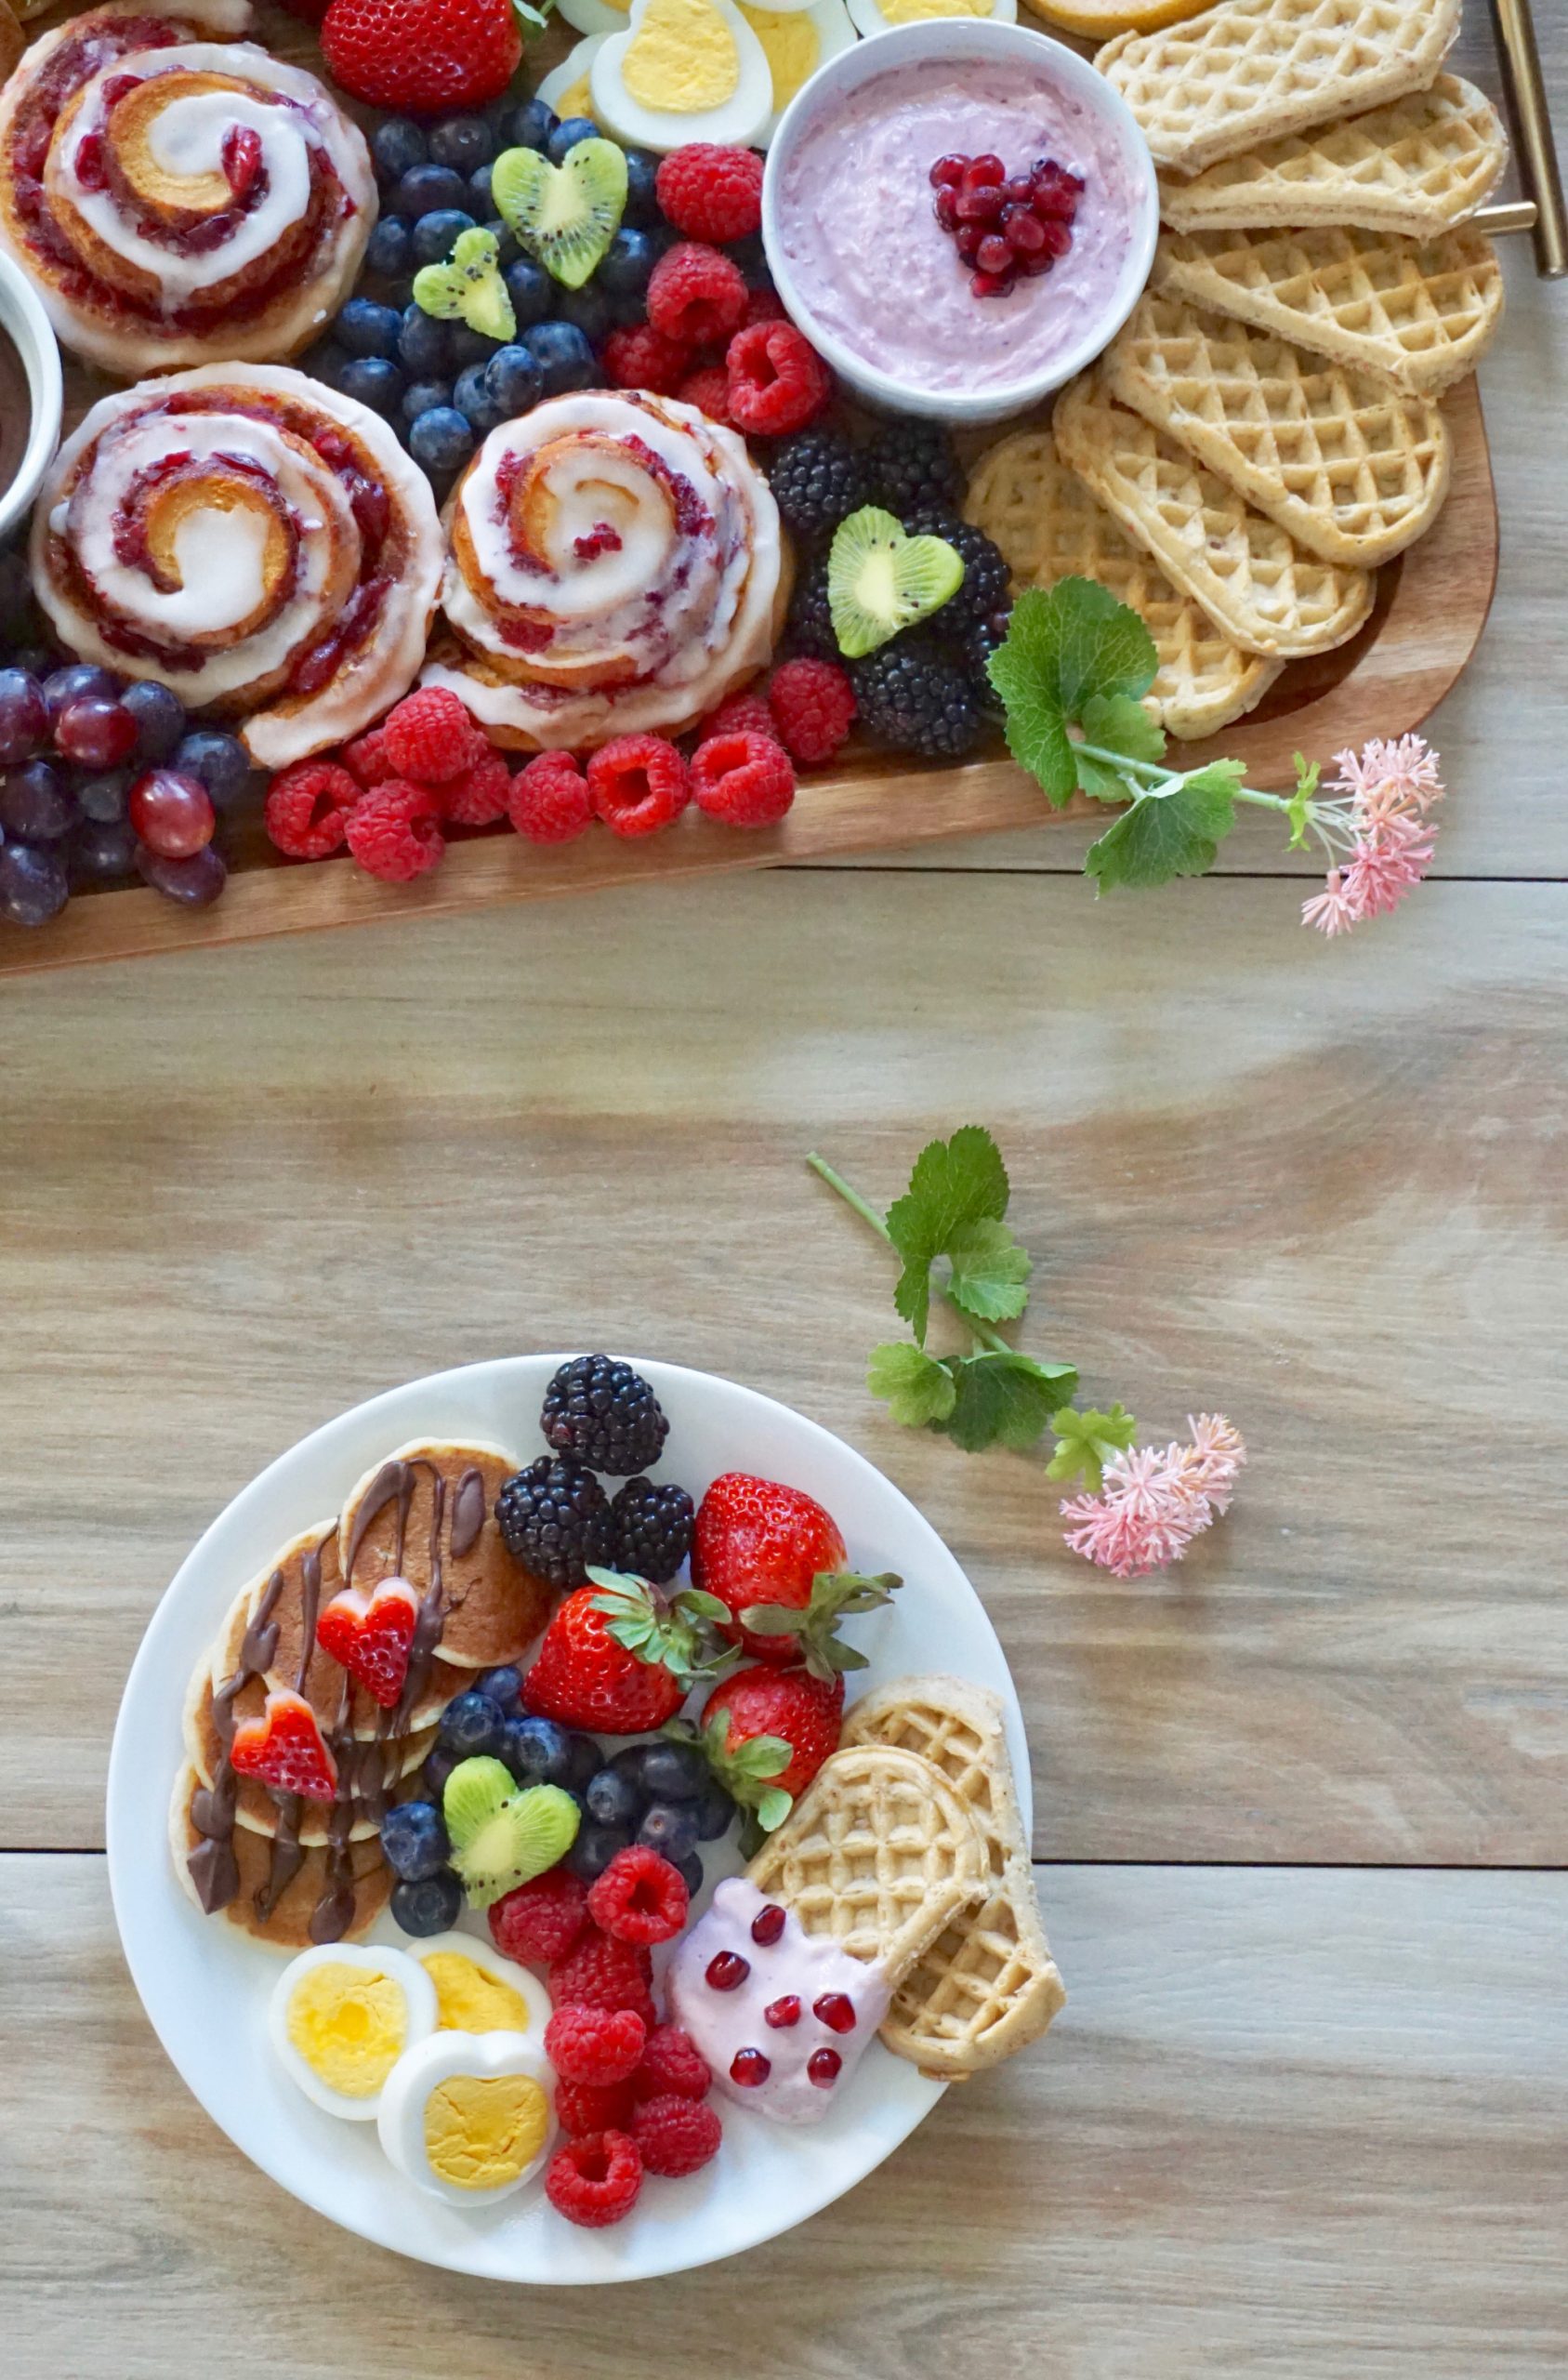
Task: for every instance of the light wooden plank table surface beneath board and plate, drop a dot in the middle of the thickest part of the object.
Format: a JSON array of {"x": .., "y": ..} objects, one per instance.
[{"x": 1298, "y": 1808}]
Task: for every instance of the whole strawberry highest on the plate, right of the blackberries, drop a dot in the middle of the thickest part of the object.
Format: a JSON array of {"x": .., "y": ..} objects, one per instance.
[{"x": 777, "y": 1562}]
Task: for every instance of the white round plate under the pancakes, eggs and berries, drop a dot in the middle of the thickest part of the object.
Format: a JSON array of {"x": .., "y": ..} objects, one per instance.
[{"x": 206, "y": 1984}]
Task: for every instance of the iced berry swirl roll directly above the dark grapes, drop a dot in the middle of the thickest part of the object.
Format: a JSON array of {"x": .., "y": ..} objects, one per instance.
[{"x": 251, "y": 539}]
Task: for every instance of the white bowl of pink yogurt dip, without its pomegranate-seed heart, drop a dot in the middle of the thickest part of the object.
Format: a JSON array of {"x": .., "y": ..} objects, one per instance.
[{"x": 874, "y": 282}]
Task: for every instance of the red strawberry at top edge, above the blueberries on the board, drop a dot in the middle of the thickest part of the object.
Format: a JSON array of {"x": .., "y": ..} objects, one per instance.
[{"x": 422, "y": 56}]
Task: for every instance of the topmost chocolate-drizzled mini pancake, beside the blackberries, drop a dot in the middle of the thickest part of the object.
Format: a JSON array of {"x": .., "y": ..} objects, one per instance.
[{"x": 494, "y": 1605}]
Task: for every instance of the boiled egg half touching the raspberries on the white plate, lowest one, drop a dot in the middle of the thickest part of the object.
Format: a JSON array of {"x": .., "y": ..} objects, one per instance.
[{"x": 470, "y": 2117}]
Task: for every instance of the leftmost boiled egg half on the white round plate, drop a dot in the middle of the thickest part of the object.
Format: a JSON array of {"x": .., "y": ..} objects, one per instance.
[{"x": 341, "y": 2019}]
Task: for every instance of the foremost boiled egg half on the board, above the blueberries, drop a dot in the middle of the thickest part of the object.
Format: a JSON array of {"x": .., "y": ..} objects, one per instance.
[{"x": 684, "y": 70}]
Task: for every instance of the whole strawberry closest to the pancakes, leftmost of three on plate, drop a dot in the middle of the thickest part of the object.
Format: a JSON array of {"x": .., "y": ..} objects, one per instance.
[{"x": 620, "y": 1658}]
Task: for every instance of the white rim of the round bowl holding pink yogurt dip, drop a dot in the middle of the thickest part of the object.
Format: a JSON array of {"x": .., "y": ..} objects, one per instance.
[{"x": 939, "y": 44}]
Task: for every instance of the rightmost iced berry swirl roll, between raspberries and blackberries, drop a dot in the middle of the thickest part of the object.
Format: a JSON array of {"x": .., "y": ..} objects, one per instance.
[{"x": 615, "y": 565}]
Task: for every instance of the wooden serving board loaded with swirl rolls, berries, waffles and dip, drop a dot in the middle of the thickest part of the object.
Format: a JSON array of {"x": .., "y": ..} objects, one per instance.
[{"x": 498, "y": 472}]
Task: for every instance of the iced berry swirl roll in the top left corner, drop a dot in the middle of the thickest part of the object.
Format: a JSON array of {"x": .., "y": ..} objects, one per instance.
[{"x": 180, "y": 196}]
